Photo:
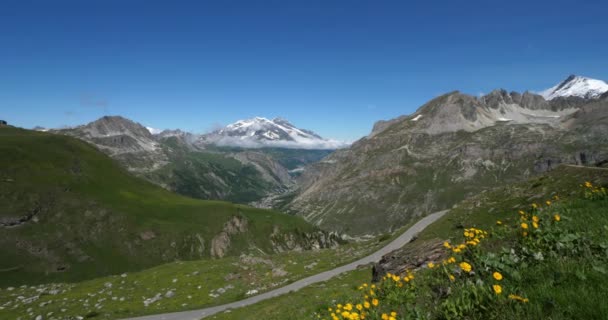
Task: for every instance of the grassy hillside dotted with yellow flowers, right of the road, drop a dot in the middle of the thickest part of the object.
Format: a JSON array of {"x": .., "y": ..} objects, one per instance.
[{"x": 556, "y": 270}]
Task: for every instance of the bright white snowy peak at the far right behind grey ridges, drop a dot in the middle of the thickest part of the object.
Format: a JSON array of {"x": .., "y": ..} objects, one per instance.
[{"x": 577, "y": 86}]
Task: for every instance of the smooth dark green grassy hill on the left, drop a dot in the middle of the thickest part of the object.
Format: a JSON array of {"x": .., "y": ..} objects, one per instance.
[{"x": 69, "y": 212}]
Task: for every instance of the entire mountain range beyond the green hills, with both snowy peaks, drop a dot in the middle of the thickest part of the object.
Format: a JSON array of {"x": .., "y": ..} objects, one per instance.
[{"x": 450, "y": 148}]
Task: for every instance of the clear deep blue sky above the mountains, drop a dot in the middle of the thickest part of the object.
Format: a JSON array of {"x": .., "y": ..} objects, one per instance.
[{"x": 331, "y": 66}]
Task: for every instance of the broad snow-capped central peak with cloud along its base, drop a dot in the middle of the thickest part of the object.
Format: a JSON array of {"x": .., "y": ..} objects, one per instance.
[{"x": 261, "y": 132}]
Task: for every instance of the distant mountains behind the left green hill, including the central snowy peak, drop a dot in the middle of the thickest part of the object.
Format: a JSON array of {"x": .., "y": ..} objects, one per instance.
[{"x": 244, "y": 162}]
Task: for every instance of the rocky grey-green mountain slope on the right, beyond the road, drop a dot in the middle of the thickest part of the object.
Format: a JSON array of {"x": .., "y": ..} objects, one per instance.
[{"x": 452, "y": 147}]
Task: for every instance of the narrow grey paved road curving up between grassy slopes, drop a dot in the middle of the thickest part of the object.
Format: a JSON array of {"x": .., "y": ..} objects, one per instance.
[{"x": 324, "y": 276}]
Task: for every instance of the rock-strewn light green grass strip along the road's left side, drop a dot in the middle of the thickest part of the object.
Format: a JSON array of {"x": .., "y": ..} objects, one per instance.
[{"x": 194, "y": 282}]
